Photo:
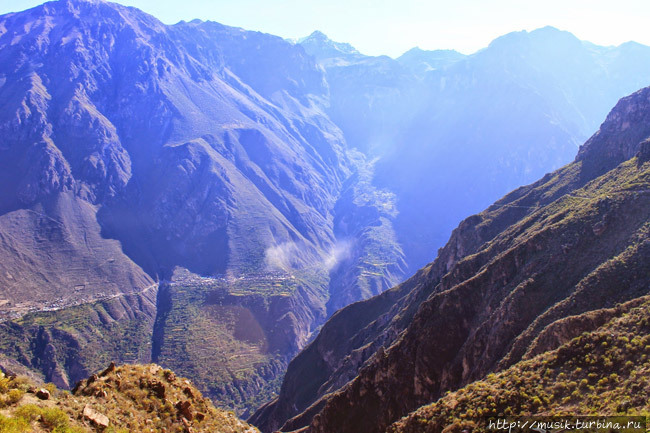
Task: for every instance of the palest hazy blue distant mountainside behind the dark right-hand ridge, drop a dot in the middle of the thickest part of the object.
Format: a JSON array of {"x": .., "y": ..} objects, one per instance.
[{"x": 472, "y": 128}]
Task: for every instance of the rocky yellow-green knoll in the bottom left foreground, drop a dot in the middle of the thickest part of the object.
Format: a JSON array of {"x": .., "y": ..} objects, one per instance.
[{"x": 118, "y": 399}]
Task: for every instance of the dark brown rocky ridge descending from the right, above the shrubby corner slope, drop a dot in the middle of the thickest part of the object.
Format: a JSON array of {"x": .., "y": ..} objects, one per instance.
[{"x": 574, "y": 242}]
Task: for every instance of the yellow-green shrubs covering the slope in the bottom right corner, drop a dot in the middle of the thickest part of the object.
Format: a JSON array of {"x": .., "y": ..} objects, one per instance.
[{"x": 604, "y": 372}]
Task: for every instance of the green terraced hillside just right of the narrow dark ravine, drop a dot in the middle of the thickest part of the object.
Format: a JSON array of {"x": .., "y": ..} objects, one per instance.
[{"x": 221, "y": 333}]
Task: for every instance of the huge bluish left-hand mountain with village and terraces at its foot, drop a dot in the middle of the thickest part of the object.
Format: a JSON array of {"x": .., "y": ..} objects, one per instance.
[{"x": 137, "y": 158}]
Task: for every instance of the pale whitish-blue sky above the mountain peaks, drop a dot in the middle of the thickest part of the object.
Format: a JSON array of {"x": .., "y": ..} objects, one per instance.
[{"x": 393, "y": 26}]
